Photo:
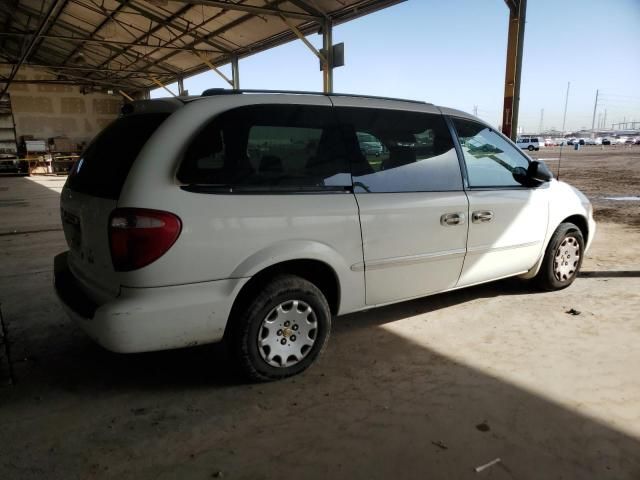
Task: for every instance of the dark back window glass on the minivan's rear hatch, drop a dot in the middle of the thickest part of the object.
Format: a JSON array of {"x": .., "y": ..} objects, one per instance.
[{"x": 103, "y": 167}]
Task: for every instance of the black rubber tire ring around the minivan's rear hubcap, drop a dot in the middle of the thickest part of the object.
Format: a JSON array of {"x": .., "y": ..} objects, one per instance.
[{"x": 247, "y": 327}]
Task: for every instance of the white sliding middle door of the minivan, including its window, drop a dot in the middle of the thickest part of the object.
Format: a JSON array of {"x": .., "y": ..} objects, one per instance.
[{"x": 413, "y": 210}]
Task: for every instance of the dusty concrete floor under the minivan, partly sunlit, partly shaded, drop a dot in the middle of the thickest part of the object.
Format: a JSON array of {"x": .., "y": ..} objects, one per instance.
[{"x": 425, "y": 389}]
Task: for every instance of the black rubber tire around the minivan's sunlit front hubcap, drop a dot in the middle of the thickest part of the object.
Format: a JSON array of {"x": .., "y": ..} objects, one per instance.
[{"x": 547, "y": 279}]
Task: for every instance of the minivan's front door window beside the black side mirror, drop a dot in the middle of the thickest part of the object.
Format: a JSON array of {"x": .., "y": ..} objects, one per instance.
[{"x": 490, "y": 159}]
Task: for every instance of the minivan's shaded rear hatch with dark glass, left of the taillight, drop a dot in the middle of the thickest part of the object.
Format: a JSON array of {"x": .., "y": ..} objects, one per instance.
[{"x": 91, "y": 193}]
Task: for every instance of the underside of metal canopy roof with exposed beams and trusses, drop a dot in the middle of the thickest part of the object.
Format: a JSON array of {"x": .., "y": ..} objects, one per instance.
[{"x": 126, "y": 43}]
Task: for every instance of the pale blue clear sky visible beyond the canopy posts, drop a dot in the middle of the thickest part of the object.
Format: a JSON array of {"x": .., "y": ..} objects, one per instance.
[{"x": 453, "y": 54}]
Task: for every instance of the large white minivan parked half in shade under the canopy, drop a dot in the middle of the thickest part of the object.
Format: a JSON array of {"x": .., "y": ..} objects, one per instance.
[{"x": 255, "y": 218}]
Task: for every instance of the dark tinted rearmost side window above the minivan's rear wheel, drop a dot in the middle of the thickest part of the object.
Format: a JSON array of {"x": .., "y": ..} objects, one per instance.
[{"x": 268, "y": 147}]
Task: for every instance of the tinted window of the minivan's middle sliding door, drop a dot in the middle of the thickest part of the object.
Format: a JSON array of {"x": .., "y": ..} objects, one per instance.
[{"x": 396, "y": 151}]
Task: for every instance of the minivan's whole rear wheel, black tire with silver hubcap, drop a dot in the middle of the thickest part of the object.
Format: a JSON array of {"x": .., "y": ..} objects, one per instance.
[{"x": 282, "y": 330}]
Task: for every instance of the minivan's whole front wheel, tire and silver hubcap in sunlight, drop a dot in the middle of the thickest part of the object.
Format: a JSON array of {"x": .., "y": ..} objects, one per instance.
[{"x": 562, "y": 259}]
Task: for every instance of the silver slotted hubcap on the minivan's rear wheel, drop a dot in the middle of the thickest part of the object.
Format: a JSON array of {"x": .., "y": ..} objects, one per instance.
[{"x": 287, "y": 333}]
